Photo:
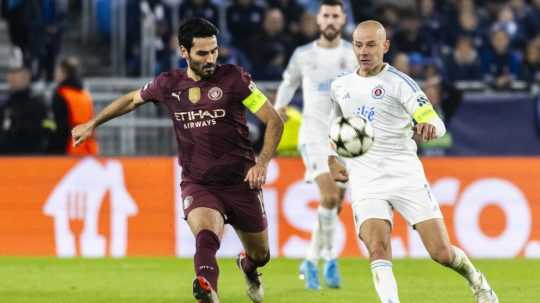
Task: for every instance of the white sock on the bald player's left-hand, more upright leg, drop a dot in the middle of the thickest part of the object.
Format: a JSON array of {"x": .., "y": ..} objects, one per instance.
[{"x": 384, "y": 281}]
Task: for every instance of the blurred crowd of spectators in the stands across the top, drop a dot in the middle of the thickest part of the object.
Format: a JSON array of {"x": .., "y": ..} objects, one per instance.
[{"x": 496, "y": 42}]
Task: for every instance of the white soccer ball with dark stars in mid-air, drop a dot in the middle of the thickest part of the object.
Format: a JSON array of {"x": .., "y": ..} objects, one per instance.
[{"x": 351, "y": 136}]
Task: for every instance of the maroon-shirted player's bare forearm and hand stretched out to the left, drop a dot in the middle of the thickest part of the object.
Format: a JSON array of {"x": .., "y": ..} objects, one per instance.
[{"x": 118, "y": 107}]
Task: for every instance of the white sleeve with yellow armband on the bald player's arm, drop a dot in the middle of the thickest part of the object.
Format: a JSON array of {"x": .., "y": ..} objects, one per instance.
[{"x": 418, "y": 106}]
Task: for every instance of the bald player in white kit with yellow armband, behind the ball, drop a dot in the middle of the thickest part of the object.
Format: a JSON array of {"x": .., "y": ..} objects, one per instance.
[{"x": 390, "y": 175}]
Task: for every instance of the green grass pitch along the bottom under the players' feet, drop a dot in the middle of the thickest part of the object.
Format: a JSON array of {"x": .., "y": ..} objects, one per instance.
[{"x": 164, "y": 280}]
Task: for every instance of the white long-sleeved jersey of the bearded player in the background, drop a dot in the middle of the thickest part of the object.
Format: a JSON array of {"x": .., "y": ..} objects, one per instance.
[{"x": 315, "y": 68}]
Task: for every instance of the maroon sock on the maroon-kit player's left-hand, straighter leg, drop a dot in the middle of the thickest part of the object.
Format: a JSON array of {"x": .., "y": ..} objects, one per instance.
[{"x": 207, "y": 244}]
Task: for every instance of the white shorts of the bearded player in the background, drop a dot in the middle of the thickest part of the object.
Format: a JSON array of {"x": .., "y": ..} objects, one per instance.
[{"x": 315, "y": 157}]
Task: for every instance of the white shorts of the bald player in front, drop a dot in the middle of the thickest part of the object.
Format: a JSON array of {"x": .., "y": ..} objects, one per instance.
[{"x": 413, "y": 204}]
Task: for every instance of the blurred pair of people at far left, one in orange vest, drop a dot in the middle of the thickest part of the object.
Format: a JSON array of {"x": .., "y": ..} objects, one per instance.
[{"x": 32, "y": 122}]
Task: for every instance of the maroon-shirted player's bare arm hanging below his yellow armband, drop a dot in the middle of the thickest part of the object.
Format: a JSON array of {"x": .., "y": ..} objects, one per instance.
[{"x": 256, "y": 175}]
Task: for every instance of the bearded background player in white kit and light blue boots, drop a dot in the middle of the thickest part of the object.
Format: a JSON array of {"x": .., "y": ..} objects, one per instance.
[{"x": 315, "y": 66}]
